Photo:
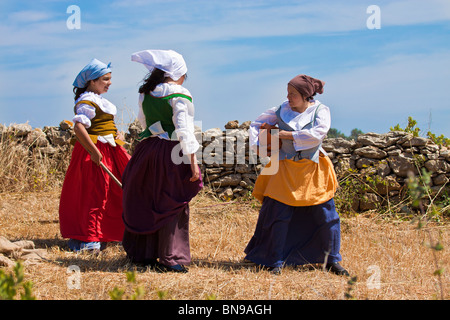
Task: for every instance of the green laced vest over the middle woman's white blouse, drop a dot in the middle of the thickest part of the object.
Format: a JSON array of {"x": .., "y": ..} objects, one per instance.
[{"x": 159, "y": 109}]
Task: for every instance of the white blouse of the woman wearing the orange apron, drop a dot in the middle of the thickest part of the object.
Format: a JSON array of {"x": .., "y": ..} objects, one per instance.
[{"x": 303, "y": 138}]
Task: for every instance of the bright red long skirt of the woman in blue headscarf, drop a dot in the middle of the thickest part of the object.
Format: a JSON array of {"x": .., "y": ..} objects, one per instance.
[{"x": 91, "y": 202}]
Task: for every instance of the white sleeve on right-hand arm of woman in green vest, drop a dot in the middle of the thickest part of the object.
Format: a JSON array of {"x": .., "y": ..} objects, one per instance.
[{"x": 183, "y": 119}]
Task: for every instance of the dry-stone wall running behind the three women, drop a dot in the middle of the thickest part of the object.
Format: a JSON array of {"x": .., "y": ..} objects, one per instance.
[{"x": 372, "y": 171}]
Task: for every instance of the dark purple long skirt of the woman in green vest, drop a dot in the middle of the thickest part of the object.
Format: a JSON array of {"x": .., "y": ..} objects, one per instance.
[{"x": 156, "y": 195}]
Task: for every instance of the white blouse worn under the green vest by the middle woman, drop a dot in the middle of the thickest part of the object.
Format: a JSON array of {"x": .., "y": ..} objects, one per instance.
[{"x": 183, "y": 116}]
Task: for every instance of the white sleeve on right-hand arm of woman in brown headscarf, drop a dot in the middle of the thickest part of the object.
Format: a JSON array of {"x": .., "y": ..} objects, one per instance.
[{"x": 312, "y": 137}]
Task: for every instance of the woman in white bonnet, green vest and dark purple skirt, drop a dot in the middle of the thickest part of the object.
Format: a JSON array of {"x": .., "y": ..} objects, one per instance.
[{"x": 157, "y": 187}]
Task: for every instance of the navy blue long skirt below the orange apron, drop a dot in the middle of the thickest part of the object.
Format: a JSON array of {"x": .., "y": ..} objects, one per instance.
[{"x": 287, "y": 235}]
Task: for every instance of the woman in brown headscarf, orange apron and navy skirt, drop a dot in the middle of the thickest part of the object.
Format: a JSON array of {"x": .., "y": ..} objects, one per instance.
[{"x": 298, "y": 223}]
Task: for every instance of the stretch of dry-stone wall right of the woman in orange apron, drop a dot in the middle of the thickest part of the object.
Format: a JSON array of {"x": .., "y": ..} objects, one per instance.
[{"x": 379, "y": 165}]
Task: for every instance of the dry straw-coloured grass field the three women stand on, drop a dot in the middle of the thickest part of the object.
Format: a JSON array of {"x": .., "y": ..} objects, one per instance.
[{"x": 391, "y": 259}]
